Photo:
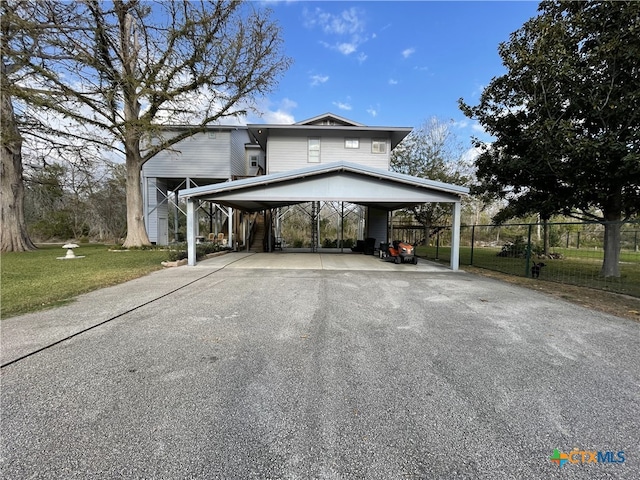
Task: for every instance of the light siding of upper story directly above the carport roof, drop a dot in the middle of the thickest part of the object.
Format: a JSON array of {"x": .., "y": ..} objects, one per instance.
[{"x": 286, "y": 153}]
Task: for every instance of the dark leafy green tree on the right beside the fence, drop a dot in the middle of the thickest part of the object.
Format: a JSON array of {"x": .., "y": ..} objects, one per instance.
[{"x": 566, "y": 118}]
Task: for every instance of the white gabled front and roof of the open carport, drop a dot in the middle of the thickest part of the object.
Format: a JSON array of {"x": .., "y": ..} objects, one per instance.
[{"x": 339, "y": 182}]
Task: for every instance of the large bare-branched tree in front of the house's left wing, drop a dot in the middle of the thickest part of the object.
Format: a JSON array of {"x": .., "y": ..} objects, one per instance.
[{"x": 122, "y": 69}]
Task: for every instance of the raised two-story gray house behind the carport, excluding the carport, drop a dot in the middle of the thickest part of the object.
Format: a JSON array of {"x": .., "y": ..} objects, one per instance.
[{"x": 225, "y": 153}]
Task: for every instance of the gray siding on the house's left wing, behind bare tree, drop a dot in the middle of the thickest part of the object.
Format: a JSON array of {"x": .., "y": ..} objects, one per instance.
[{"x": 198, "y": 156}]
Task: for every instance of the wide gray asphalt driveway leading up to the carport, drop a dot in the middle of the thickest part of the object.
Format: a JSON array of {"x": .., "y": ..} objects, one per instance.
[{"x": 234, "y": 369}]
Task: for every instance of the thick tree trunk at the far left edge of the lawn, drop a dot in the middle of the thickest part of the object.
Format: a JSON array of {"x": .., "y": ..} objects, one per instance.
[{"x": 13, "y": 229}]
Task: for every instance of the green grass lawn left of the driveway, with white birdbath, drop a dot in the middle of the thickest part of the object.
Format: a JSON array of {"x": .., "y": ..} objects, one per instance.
[{"x": 37, "y": 280}]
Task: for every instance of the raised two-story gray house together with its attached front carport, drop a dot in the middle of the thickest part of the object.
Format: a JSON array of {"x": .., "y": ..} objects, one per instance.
[{"x": 268, "y": 166}]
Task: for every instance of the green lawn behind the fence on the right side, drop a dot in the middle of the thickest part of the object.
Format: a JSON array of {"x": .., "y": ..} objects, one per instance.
[{"x": 577, "y": 267}]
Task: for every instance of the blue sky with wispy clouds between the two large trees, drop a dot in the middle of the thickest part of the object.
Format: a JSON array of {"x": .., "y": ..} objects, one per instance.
[{"x": 390, "y": 63}]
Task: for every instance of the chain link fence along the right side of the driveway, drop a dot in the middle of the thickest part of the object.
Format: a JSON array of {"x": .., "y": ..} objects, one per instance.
[{"x": 574, "y": 255}]
